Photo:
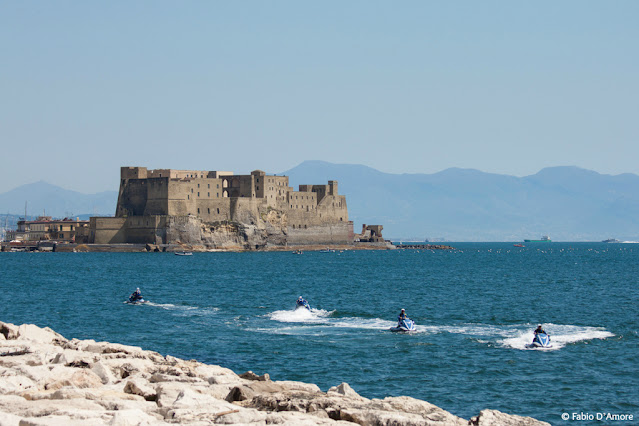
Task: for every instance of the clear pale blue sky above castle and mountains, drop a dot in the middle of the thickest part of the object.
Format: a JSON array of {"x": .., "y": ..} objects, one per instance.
[{"x": 403, "y": 87}]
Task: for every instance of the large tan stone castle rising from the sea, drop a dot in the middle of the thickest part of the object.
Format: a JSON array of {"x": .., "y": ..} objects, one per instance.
[{"x": 218, "y": 209}]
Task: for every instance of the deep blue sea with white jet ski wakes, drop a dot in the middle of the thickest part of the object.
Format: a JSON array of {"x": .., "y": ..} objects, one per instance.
[{"x": 475, "y": 307}]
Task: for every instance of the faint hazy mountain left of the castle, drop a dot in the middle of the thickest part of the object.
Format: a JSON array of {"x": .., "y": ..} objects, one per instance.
[{"x": 42, "y": 197}]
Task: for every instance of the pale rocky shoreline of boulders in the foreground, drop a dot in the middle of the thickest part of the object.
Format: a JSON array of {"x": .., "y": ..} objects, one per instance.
[{"x": 46, "y": 379}]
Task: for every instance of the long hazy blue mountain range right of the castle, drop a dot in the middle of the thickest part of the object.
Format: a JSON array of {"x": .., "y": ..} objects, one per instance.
[{"x": 566, "y": 203}]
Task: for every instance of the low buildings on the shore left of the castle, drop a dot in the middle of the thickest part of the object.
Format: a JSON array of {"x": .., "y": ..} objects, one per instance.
[{"x": 44, "y": 228}]
